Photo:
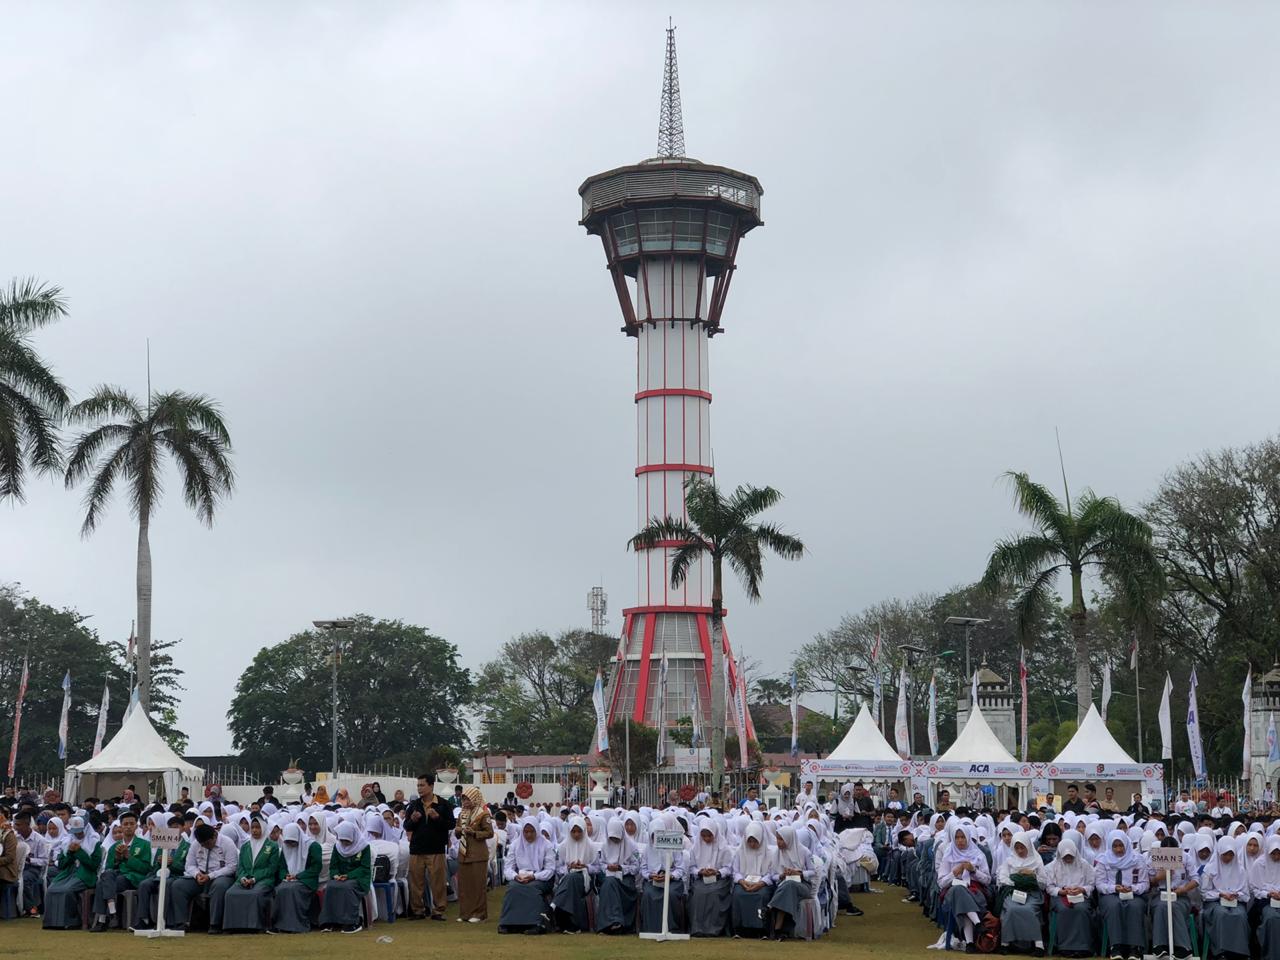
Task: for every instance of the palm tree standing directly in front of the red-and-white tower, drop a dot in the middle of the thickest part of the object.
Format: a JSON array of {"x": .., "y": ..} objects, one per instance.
[{"x": 721, "y": 528}]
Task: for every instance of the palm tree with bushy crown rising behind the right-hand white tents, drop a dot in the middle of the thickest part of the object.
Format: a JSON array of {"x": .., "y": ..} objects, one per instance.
[{"x": 1098, "y": 534}]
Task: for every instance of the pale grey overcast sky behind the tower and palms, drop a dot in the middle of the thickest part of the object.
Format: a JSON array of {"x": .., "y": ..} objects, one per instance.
[{"x": 355, "y": 225}]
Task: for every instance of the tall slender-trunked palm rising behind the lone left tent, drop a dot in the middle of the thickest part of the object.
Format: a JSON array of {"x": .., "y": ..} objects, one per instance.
[{"x": 129, "y": 442}]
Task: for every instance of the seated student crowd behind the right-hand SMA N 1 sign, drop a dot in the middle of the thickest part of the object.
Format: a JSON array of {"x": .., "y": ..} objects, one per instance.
[{"x": 1009, "y": 880}]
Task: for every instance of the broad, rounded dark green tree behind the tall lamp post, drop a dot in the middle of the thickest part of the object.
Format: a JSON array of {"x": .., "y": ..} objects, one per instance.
[{"x": 399, "y": 687}]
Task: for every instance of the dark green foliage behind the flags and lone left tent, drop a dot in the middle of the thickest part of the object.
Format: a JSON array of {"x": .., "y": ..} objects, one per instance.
[{"x": 57, "y": 641}]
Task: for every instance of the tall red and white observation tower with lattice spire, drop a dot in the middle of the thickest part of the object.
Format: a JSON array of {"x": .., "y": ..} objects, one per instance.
[{"x": 671, "y": 227}]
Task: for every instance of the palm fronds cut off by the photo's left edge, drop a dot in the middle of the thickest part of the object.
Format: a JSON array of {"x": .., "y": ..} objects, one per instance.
[{"x": 33, "y": 401}]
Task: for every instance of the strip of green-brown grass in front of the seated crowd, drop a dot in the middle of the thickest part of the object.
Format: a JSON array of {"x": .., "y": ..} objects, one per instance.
[{"x": 890, "y": 929}]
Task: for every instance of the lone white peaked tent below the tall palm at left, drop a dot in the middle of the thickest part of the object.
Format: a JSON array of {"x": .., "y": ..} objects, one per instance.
[{"x": 136, "y": 756}]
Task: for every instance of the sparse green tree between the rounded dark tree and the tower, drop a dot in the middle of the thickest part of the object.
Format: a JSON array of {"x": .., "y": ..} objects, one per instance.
[{"x": 538, "y": 693}]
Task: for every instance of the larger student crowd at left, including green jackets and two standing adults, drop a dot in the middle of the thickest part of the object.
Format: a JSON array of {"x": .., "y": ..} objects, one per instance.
[{"x": 294, "y": 868}]
